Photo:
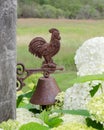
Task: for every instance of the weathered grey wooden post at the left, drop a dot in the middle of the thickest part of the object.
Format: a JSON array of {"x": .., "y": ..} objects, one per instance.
[{"x": 7, "y": 59}]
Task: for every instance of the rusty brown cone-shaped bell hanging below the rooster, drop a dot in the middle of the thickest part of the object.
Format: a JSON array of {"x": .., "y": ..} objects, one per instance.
[{"x": 45, "y": 92}]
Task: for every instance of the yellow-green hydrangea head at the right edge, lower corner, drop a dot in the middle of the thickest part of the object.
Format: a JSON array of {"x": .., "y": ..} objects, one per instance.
[{"x": 96, "y": 108}]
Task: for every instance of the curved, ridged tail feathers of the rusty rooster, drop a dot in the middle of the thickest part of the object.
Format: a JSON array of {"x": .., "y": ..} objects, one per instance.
[{"x": 35, "y": 46}]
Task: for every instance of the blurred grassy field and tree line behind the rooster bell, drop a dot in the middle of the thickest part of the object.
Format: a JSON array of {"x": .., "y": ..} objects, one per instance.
[{"x": 77, "y": 21}]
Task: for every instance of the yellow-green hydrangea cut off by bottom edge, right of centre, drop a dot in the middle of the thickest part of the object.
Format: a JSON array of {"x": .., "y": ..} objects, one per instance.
[{"x": 73, "y": 126}]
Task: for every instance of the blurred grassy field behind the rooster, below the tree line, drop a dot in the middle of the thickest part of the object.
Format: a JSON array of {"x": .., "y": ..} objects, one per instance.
[{"x": 73, "y": 34}]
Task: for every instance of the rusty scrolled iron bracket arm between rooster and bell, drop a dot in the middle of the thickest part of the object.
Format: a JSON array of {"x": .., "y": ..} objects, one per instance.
[{"x": 23, "y": 73}]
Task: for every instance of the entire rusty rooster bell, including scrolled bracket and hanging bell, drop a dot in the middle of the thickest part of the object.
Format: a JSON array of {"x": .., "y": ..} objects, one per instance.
[{"x": 47, "y": 88}]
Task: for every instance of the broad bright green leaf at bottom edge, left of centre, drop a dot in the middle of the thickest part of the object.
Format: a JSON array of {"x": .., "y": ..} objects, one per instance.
[{"x": 33, "y": 126}]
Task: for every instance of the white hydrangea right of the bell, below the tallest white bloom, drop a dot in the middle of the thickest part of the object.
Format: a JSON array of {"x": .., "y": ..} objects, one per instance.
[{"x": 77, "y": 96}]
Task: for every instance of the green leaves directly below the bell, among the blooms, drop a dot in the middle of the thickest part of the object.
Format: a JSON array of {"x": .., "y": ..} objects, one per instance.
[{"x": 50, "y": 121}]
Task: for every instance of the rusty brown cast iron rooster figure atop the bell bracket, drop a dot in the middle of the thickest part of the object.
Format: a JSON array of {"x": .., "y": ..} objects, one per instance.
[{"x": 40, "y": 48}]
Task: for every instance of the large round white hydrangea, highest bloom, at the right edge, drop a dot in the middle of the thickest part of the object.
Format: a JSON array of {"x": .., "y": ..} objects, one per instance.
[{"x": 89, "y": 58}]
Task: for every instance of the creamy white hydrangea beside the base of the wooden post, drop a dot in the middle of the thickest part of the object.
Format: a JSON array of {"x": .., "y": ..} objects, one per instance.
[{"x": 24, "y": 116}]
